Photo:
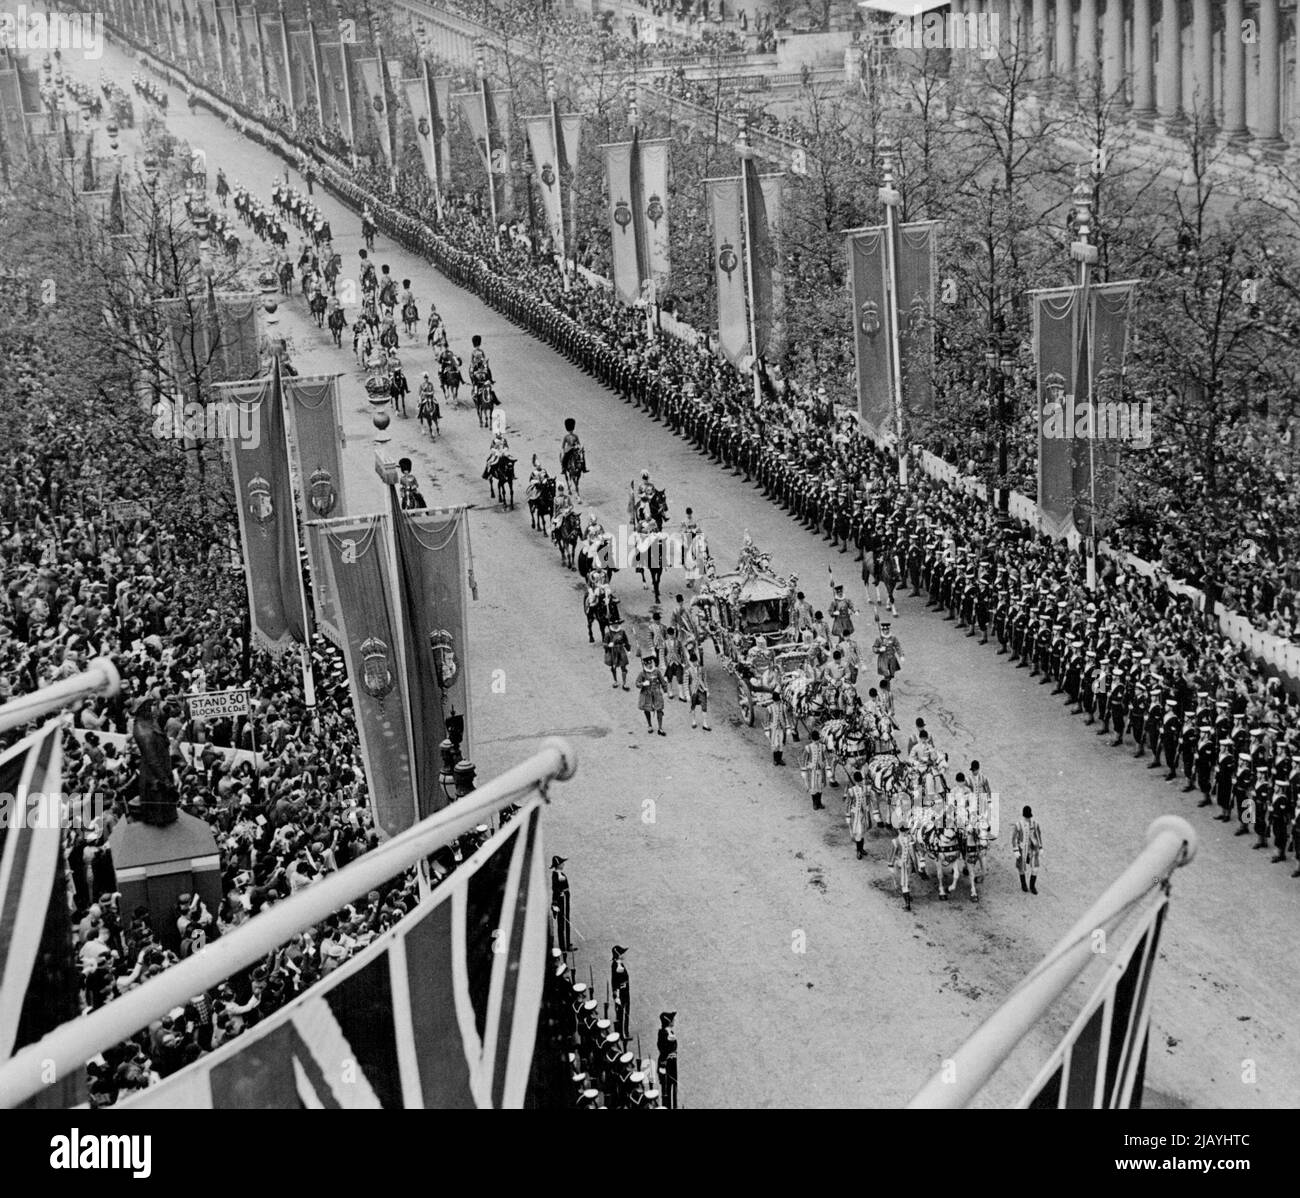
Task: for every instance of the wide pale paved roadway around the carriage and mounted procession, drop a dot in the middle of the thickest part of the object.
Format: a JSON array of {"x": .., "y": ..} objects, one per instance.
[{"x": 799, "y": 979}]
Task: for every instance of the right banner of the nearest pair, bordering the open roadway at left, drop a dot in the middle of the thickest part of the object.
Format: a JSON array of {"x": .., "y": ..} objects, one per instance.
[{"x": 434, "y": 570}]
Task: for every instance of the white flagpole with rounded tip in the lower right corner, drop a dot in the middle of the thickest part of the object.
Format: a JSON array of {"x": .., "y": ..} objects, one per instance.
[{"x": 1171, "y": 844}]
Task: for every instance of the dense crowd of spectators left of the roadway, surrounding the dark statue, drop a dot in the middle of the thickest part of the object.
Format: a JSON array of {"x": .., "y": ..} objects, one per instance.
[{"x": 162, "y": 601}]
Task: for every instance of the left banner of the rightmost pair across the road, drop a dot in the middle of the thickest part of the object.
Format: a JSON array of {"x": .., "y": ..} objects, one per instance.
[{"x": 1058, "y": 320}]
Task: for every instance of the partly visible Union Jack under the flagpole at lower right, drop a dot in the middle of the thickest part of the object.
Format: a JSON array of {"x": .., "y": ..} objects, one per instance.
[{"x": 1102, "y": 1064}]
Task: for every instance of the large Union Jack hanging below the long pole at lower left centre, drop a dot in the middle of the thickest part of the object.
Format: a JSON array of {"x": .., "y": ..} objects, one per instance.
[{"x": 439, "y": 1014}]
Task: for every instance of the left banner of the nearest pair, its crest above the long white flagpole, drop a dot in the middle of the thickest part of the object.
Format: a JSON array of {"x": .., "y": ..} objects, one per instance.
[{"x": 358, "y": 574}]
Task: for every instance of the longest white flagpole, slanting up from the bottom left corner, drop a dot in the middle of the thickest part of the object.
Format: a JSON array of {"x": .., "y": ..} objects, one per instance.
[{"x": 70, "y": 1047}]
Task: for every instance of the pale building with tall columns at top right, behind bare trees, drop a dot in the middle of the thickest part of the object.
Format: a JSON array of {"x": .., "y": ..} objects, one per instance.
[{"x": 1234, "y": 62}]
